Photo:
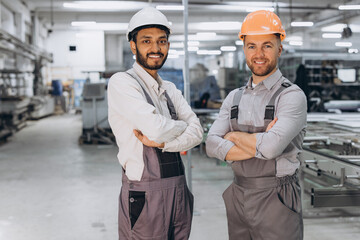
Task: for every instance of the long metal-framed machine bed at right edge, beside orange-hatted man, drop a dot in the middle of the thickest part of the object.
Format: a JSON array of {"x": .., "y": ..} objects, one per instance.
[{"x": 331, "y": 160}]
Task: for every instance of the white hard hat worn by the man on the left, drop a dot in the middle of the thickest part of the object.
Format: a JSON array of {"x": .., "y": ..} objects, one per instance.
[{"x": 147, "y": 16}]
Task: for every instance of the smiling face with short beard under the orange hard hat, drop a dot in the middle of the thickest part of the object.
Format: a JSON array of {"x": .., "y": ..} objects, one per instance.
[{"x": 262, "y": 53}]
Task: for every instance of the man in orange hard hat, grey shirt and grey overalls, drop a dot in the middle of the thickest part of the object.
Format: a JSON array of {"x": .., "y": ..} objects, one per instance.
[{"x": 260, "y": 130}]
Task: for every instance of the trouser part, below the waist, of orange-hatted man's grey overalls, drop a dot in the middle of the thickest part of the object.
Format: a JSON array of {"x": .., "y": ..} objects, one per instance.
[{"x": 264, "y": 213}]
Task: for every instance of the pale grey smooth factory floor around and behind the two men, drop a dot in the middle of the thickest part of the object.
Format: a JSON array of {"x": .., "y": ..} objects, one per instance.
[{"x": 51, "y": 188}]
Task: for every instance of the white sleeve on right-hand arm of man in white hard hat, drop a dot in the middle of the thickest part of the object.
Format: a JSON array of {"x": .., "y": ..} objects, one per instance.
[{"x": 193, "y": 133}]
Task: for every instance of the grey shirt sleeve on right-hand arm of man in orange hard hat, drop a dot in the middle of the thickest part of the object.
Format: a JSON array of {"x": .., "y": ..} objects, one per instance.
[{"x": 291, "y": 113}]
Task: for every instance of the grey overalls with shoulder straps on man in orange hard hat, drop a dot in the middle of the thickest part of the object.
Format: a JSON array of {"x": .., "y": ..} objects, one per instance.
[{"x": 260, "y": 205}]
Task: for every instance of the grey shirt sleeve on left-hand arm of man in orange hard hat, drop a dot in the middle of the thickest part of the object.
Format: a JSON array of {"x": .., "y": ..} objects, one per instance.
[{"x": 216, "y": 145}]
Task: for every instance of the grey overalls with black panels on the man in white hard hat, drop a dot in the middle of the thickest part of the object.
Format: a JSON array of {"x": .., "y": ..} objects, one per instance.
[{"x": 160, "y": 205}]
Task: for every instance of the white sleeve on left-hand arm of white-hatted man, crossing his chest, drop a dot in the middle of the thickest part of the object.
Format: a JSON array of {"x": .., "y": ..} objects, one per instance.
[{"x": 125, "y": 98}]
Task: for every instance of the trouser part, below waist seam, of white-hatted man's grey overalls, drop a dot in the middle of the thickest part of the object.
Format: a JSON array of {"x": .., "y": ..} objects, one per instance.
[{"x": 166, "y": 214}]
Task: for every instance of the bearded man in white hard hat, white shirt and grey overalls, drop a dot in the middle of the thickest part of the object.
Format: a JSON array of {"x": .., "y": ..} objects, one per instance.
[{"x": 152, "y": 122}]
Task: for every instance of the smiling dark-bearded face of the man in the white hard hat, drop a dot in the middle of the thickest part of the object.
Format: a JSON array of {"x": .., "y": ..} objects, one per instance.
[{"x": 151, "y": 49}]
